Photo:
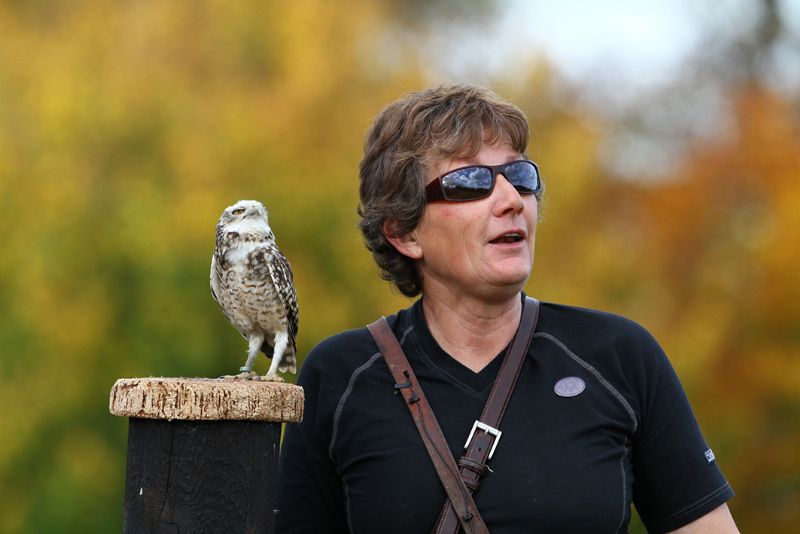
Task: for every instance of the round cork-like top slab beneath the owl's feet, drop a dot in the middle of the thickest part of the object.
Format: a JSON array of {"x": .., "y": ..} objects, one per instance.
[{"x": 206, "y": 399}]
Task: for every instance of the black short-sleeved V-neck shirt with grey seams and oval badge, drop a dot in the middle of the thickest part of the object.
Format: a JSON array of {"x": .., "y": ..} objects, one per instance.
[{"x": 598, "y": 420}]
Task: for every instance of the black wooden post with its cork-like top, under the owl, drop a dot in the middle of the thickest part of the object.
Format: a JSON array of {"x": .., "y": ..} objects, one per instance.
[{"x": 202, "y": 453}]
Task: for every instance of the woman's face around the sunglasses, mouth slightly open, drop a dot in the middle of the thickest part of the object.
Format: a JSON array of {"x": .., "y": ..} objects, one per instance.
[{"x": 482, "y": 247}]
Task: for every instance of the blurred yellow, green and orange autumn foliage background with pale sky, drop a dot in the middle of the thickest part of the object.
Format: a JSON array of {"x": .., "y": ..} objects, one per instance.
[{"x": 668, "y": 134}]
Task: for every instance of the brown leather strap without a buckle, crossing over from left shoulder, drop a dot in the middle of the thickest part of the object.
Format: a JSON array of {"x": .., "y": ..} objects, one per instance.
[{"x": 428, "y": 427}]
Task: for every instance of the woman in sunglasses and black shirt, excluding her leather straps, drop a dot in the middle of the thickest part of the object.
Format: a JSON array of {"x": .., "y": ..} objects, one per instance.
[{"x": 597, "y": 420}]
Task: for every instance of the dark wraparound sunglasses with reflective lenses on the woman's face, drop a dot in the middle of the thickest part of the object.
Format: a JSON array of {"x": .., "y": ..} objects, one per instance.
[{"x": 477, "y": 181}]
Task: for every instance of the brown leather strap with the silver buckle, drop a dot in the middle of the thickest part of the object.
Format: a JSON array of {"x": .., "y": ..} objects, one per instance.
[{"x": 485, "y": 434}]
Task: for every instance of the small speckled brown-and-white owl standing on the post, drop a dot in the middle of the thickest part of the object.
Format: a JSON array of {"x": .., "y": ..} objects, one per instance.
[{"x": 253, "y": 284}]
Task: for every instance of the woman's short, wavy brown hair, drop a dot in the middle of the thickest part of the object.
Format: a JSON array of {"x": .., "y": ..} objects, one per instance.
[{"x": 408, "y": 138}]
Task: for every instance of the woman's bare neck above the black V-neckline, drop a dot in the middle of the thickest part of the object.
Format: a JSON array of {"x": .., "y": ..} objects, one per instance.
[{"x": 471, "y": 330}]
